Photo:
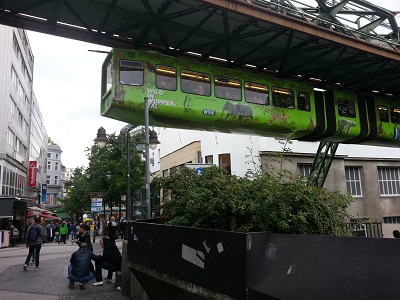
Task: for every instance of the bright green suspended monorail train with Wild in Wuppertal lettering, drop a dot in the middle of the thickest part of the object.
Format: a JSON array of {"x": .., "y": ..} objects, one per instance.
[{"x": 192, "y": 95}]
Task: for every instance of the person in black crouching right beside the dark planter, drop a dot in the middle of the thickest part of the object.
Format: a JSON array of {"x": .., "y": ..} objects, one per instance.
[{"x": 110, "y": 260}]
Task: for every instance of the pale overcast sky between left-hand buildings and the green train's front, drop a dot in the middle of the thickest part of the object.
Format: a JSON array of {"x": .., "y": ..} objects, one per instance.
[{"x": 66, "y": 83}]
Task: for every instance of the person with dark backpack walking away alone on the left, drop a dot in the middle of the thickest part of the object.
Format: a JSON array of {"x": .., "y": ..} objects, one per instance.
[{"x": 35, "y": 236}]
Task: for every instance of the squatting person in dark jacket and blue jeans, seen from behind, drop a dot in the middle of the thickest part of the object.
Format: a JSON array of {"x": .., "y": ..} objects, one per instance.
[{"x": 80, "y": 268}]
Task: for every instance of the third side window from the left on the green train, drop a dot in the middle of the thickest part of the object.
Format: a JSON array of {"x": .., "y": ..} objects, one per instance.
[{"x": 195, "y": 83}]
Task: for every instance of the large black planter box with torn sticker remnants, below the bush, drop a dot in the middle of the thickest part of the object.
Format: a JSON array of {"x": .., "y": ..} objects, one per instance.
[{"x": 172, "y": 261}]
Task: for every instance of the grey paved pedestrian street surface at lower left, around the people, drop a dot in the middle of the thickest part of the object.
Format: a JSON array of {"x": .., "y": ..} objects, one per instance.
[{"x": 50, "y": 282}]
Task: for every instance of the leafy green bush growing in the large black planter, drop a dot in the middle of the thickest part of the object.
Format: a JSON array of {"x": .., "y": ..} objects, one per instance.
[{"x": 217, "y": 200}]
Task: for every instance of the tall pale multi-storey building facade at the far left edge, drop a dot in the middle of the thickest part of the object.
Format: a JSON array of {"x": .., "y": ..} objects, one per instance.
[{"x": 16, "y": 74}]
